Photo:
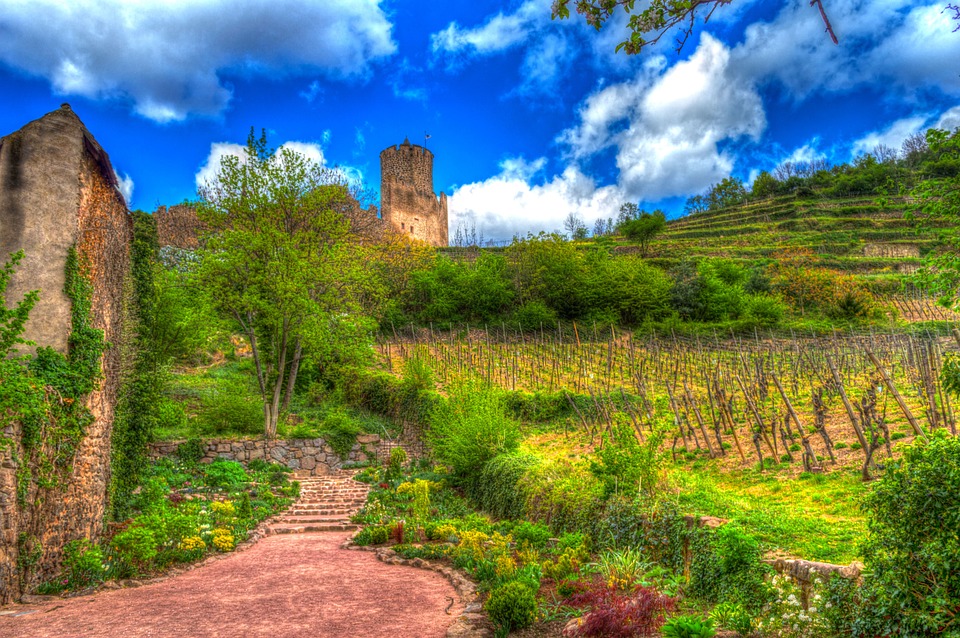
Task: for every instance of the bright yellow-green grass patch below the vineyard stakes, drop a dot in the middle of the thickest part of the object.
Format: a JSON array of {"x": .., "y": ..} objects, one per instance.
[{"x": 816, "y": 517}]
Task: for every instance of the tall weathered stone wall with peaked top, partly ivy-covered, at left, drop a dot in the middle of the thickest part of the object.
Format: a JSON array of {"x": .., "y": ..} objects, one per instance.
[{"x": 57, "y": 190}]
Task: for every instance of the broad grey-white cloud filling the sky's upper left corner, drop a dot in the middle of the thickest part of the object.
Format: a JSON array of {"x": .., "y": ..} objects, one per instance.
[{"x": 168, "y": 60}]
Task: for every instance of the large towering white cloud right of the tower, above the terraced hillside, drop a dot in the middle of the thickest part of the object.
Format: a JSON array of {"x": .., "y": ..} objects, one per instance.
[{"x": 667, "y": 125}]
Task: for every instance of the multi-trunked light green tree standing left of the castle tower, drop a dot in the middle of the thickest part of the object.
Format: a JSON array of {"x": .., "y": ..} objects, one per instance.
[{"x": 280, "y": 262}]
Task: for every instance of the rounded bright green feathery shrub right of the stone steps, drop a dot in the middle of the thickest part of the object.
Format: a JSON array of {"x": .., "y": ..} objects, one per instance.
[{"x": 469, "y": 429}]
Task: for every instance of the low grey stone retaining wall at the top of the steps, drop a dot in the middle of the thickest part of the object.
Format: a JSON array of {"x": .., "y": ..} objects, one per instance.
[{"x": 309, "y": 456}]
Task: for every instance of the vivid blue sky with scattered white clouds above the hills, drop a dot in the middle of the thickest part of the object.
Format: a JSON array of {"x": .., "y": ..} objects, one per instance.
[{"x": 530, "y": 119}]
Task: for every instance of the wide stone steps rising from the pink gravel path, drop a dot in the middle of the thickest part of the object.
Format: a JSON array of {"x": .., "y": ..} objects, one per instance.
[{"x": 326, "y": 504}]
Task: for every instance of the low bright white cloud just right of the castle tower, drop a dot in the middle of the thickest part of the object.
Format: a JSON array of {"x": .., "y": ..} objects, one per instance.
[{"x": 507, "y": 204}]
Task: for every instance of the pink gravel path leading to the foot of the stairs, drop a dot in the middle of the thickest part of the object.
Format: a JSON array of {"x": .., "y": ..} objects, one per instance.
[{"x": 284, "y": 586}]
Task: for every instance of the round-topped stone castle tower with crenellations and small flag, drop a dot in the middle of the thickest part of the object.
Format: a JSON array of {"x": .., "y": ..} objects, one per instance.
[{"x": 407, "y": 200}]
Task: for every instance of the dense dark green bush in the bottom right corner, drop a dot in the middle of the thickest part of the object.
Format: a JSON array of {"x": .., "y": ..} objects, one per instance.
[{"x": 913, "y": 521}]
